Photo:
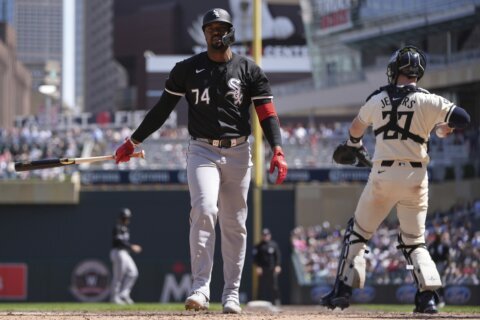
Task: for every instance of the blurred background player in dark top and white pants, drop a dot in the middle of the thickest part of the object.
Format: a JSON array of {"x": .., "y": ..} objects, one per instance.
[{"x": 125, "y": 271}]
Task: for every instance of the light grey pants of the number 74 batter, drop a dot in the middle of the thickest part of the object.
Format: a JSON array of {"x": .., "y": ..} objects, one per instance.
[{"x": 218, "y": 180}]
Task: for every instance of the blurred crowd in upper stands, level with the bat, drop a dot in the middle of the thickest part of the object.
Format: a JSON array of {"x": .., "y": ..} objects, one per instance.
[{"x": 306, "y": 146}]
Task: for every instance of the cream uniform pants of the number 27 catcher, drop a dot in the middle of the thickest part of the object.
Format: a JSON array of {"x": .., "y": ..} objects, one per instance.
[{"x": 401, "y": 186}]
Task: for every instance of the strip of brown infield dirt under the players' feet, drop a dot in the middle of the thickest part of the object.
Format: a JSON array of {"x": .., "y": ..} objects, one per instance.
[{"x": 285, "y": 313}]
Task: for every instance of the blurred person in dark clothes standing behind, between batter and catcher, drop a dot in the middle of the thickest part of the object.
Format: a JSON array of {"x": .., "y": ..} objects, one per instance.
[{"x": 267, "y": 257}]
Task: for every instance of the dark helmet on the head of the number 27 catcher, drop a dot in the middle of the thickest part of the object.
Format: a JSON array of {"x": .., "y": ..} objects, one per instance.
[{"x": 409, "y": 61}]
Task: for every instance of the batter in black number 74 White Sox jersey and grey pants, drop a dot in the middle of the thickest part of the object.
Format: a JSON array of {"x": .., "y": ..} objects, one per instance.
[{"x": 219, "y": 87}]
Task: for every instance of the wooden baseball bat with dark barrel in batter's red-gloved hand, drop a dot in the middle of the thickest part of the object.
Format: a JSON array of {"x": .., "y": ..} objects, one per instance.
[{"x": 60, "y": 162}]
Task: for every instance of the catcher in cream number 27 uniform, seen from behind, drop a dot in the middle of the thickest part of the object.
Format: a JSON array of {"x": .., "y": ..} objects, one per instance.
[{"x": 402, "y": 116}]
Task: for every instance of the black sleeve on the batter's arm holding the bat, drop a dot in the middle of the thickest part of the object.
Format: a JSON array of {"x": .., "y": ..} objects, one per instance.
[{"x": 156, "y": 117}]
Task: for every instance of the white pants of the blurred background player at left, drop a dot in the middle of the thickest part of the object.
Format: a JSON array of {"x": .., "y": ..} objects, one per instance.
[{"x": 125, "y": 273}]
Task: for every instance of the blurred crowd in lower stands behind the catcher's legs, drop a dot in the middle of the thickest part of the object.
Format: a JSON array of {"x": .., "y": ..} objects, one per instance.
[{"x": 317, "y": 249}]
